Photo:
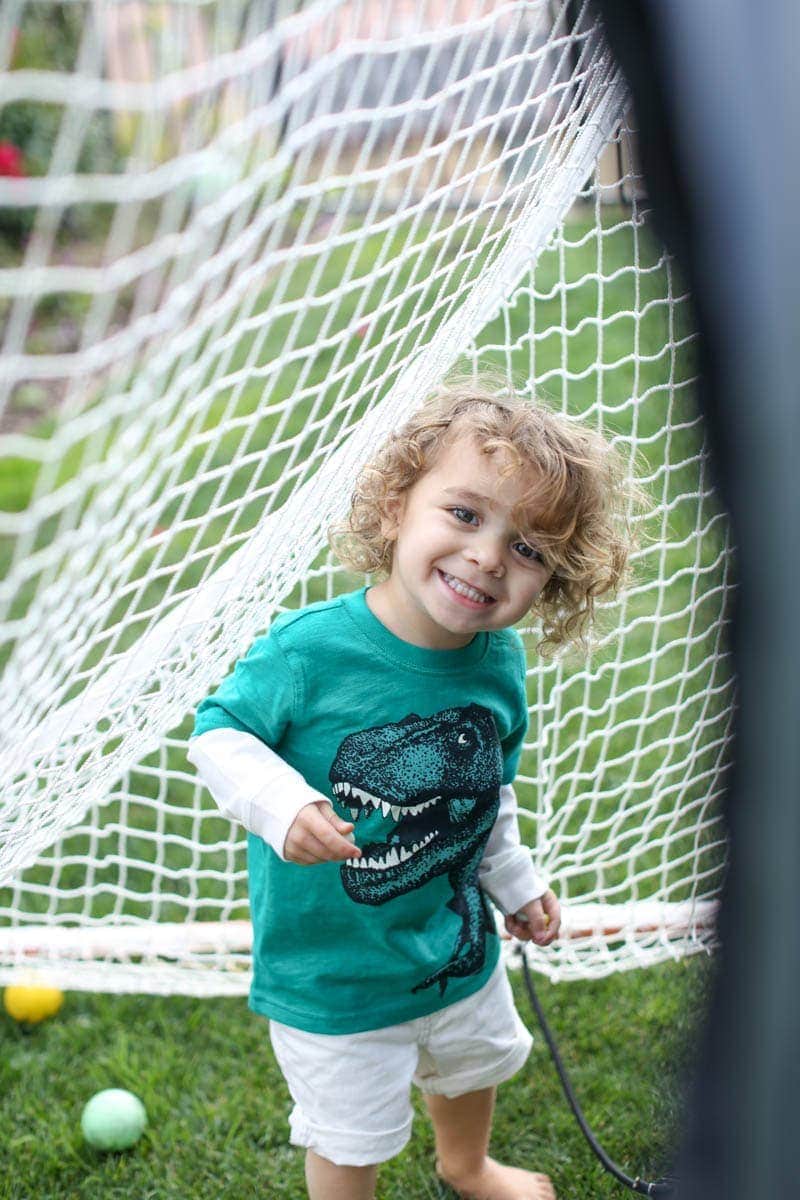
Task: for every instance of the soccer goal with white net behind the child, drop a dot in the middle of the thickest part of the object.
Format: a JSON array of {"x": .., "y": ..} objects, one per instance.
[{"x": 240, "y": 242}]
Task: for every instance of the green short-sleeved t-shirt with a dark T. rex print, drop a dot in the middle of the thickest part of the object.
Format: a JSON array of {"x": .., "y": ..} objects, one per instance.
[{"x": 414, "y": 745}]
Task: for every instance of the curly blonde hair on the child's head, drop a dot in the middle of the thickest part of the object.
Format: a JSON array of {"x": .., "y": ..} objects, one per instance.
[{"x": 576, "y": 511}]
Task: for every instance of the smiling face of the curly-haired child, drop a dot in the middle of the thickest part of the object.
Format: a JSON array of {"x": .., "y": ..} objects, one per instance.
[{"x": 460, "y": 563}]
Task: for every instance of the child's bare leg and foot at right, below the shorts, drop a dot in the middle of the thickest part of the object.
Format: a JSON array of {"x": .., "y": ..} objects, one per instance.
[{"x": 464, "y": 1126}]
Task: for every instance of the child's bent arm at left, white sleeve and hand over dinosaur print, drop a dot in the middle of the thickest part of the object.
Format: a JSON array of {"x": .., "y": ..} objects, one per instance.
[{"x": 255, "y": 787}]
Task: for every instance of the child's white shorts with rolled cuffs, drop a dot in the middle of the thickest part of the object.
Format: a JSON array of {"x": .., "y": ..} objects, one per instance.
[{"x": 352, "y": 1091}]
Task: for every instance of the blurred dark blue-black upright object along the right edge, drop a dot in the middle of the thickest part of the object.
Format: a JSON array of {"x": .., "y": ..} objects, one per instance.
[{"x": 715, "y": 91}]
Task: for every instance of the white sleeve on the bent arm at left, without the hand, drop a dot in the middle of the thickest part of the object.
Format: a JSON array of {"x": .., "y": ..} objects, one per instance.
[{"x": 251, "y": 784}]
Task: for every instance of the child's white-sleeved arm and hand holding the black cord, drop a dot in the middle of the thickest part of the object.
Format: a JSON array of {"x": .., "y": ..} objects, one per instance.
[{"x": 508, "y": 875}]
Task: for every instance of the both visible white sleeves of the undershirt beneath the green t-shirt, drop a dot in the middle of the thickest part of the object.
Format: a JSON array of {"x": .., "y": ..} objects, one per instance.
[{"x": 252, "y": 785}]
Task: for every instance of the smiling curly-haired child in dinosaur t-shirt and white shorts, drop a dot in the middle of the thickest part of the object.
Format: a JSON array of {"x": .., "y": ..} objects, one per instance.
[{"x": 375, "y": 739}]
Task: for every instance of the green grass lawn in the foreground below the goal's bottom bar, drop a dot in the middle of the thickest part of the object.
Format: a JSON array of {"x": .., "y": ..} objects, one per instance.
[{"x": 218, "y": 1106}]
